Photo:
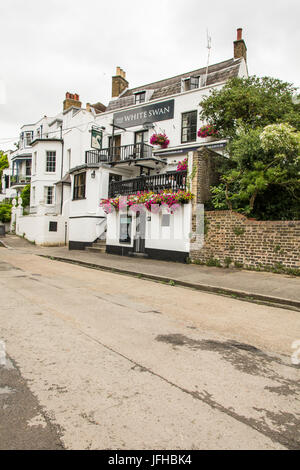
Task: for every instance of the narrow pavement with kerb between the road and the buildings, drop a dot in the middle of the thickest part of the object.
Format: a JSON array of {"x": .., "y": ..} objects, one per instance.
[{"x": 267, "y": 287}]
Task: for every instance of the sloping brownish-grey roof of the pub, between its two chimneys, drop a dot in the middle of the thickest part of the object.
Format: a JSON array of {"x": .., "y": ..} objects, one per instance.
[{"x": 217, "y": 73}]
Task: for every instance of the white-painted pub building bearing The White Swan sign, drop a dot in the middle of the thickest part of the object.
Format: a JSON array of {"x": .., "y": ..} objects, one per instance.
[{"x": 109, "y": 152}]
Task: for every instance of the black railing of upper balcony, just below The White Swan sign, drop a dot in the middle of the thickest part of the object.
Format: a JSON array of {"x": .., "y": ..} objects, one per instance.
[{"x": 122, "y": 153}]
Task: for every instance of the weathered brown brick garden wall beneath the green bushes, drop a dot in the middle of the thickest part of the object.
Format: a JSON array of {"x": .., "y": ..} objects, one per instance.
[{"x": 232, "y": 238}]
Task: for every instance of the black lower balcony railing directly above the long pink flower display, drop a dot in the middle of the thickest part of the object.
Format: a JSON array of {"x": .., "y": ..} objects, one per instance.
[{"x": 174, "y": 180}]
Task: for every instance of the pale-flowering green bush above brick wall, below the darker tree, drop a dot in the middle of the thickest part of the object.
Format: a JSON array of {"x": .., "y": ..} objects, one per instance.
[{"x": 262, "y": 160}]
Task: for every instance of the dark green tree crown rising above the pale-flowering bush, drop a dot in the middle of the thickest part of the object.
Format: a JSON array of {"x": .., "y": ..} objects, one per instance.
[{"x": 251, "y": 102}]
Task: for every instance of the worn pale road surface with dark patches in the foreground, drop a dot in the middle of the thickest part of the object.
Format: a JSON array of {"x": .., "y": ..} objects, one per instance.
[{"x": 103, "y": 361}]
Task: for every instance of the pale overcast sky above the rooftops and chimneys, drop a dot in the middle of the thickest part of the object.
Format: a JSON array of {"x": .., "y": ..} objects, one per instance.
[{"x": 50, "y": 47}]
